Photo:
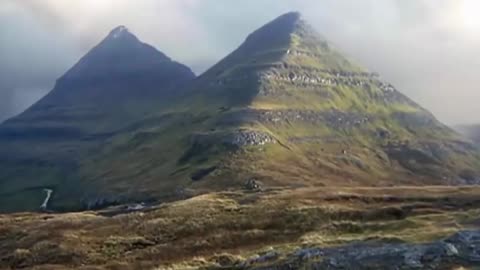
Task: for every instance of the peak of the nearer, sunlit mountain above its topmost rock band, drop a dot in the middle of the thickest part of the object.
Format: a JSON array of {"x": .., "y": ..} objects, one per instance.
[{"x": 287, "y": 39}]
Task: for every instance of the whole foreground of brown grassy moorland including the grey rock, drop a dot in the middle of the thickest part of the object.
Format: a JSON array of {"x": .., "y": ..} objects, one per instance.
[{"x": 316, "y": 228}]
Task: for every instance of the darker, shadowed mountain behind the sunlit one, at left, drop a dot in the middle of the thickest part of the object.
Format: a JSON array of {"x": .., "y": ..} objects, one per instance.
[{"x": 117, "y": 82}]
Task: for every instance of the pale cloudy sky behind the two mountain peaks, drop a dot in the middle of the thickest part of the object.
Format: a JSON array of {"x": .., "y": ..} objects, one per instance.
[{"x": 429, "y": 49}]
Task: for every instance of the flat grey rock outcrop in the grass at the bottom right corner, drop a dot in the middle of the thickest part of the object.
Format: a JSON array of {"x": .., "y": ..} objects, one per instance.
[{"x": 461, "y": 249}]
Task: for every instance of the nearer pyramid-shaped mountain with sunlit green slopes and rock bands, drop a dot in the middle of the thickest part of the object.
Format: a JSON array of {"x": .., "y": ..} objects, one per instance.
[{"x": 285, "y": 108}]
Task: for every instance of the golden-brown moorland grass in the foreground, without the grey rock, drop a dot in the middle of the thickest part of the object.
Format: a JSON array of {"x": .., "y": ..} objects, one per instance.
[{"x": 203, "y": 231}]
